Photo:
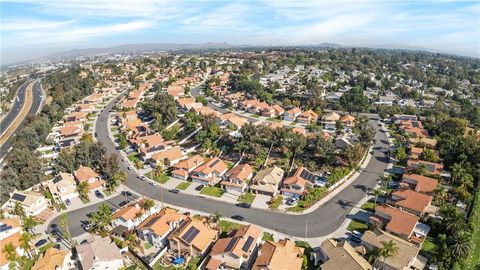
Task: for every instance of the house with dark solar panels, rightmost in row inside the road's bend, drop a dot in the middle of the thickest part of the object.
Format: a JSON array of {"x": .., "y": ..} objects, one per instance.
[{"x": 297, "y": 184}]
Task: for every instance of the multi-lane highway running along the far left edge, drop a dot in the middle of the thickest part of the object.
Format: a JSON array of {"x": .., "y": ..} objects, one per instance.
[{"x": 15, "y": 110}]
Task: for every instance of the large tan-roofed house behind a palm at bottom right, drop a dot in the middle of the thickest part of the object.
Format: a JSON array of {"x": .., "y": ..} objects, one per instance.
[{"x": 406, "y": 257}]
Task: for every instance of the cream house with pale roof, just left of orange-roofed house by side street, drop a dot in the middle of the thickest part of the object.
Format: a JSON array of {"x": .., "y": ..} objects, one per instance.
[{"x": 63, "y": 187}]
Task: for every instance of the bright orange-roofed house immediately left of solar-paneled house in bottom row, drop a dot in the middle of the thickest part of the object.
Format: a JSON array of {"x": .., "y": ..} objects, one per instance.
[{"x": 156, "y": 228}]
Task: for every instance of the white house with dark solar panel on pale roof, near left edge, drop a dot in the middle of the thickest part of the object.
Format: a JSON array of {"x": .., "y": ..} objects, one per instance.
[{"x": 33, "y": 203}]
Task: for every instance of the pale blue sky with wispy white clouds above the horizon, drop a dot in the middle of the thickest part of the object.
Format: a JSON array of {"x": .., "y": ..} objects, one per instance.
[{"x": 34, "y": 28}]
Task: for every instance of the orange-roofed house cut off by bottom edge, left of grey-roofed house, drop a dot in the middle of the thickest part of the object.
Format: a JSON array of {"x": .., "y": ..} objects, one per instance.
[{"x": 54, "y": 259}]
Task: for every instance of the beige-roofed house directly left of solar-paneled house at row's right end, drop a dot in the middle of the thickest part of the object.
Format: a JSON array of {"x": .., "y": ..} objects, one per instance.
[{"x": 267, "y": 181}]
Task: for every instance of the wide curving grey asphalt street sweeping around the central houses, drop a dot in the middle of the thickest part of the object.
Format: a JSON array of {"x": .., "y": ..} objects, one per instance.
[{"x": 323, "y": 221}]
